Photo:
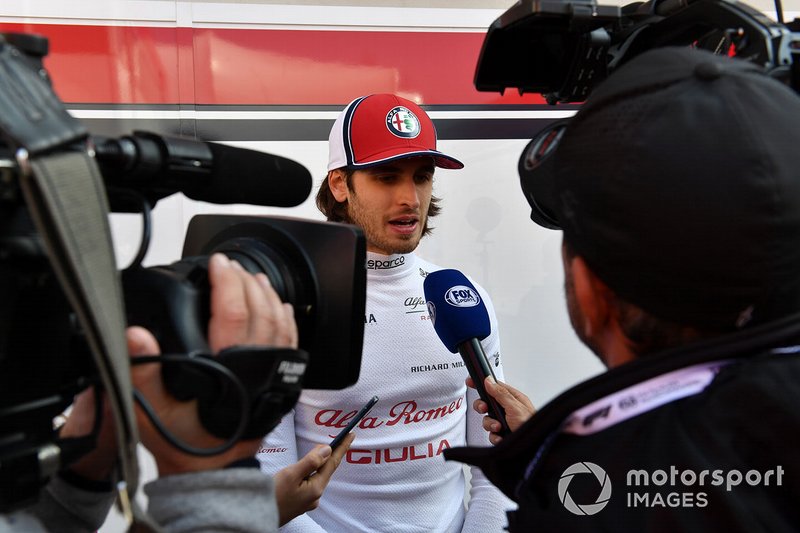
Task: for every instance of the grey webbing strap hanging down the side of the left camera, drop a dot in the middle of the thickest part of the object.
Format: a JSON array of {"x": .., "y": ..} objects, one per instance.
[{"x": 65, "y": 196}]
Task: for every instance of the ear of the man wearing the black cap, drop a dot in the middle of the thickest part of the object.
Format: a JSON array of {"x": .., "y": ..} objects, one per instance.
[{"x": 592, "y": 296}]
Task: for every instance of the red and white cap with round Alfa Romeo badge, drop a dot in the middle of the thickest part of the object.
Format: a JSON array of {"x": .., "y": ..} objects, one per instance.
[{"x": 375, "y": 129}]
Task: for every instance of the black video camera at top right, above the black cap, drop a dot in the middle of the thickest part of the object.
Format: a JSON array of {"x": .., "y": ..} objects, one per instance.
[{"x": 563, "y": 49}]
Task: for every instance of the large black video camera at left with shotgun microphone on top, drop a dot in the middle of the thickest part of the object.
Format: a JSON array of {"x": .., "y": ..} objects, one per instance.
[{"x": 61, "y": 307}]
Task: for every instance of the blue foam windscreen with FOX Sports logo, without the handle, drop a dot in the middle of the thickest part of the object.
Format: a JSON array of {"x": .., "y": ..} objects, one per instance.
[{"x": 456, "y": 309}]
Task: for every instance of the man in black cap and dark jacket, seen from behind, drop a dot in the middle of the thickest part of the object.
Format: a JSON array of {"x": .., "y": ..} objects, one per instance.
[{"x": 677, "y": 186}]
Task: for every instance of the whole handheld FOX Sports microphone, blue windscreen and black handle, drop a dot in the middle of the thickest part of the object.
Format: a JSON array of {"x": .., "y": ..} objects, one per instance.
[{"x": 460, "y": 319}]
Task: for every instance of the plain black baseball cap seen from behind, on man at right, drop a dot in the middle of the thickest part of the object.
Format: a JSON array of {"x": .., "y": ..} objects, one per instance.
[{"x": 678, "y": 181}]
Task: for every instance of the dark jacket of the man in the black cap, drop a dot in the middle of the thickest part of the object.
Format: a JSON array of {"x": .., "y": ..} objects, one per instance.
[{"x": 702, "y": 438}]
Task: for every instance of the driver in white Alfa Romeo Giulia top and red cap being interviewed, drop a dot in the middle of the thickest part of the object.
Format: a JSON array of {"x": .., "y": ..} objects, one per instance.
[{"x": 394, "y": 478}]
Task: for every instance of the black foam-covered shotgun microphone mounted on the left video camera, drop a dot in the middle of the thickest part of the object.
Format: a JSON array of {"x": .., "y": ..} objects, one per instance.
[{"x": 159, "y": 166}]
